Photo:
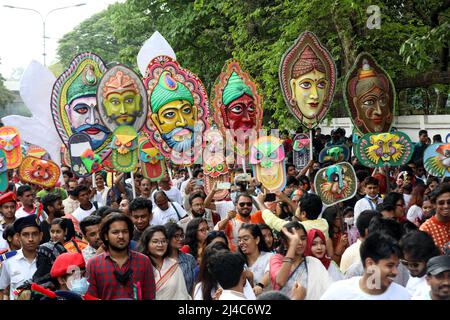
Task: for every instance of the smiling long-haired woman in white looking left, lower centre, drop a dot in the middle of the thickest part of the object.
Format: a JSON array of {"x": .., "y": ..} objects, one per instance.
[{"x": 253, "y": 247}]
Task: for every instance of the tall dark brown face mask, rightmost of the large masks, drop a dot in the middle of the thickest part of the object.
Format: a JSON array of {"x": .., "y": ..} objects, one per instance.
[{"x": 369, "y": 94}]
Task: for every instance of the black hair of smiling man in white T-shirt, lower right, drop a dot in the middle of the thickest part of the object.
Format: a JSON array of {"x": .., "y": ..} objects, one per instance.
[{"x": 377, "y": 246}]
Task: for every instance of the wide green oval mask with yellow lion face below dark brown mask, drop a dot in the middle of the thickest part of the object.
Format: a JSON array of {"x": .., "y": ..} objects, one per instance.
[{"x": 384, "y": 149}]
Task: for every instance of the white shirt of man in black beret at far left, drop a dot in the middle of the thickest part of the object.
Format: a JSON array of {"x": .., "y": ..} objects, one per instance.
[{"x": 15, "y": 271}]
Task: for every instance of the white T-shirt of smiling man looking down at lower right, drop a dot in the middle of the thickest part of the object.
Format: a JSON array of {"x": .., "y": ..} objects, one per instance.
[{"x": 350, "y": 290}]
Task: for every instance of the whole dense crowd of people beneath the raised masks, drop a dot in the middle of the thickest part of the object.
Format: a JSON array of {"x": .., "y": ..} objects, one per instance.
[{"x": 174, "y": 242}]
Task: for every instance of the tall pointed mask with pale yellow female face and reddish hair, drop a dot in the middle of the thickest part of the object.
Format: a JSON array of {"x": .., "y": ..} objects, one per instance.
[{"x": 307, "y": 78}]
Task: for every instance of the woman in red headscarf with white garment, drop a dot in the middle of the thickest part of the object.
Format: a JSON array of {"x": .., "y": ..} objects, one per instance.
[{"x": 316, "y": 247}]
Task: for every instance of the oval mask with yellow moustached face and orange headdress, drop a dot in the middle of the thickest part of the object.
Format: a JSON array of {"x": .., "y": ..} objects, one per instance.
[{"x": 122, "y": 99}]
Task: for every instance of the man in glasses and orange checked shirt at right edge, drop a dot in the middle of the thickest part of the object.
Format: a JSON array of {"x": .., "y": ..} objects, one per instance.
[{"x": 438, "y": 226}]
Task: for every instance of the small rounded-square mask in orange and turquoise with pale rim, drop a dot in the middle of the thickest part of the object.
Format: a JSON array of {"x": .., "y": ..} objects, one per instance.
[{"x": 336, "y": 183}]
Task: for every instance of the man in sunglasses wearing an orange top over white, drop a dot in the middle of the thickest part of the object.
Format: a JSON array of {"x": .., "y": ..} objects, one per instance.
[{"x": 236, "y": 218}]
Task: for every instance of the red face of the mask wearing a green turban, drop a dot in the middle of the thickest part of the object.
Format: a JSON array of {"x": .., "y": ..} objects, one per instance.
[{"x": 240, "y": 113}]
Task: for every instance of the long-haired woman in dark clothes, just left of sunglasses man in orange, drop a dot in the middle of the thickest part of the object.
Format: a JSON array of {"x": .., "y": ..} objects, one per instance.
[{"x": 196, "y": 233}]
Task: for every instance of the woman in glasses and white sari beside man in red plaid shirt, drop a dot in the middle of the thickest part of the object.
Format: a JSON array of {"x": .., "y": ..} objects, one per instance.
[{"x": 169, "y": 279}]
